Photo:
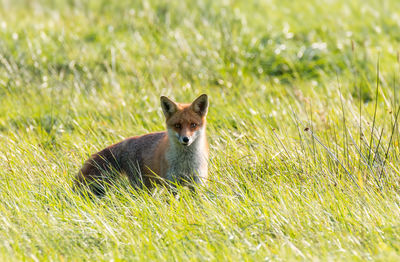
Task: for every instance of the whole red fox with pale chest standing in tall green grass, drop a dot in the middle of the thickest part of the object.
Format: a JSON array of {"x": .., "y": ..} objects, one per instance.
[{"x": 177, "y": 156}]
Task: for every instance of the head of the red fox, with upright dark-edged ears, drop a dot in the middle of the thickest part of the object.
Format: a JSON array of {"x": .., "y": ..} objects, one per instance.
[{"x": 185, "y": 122}]
